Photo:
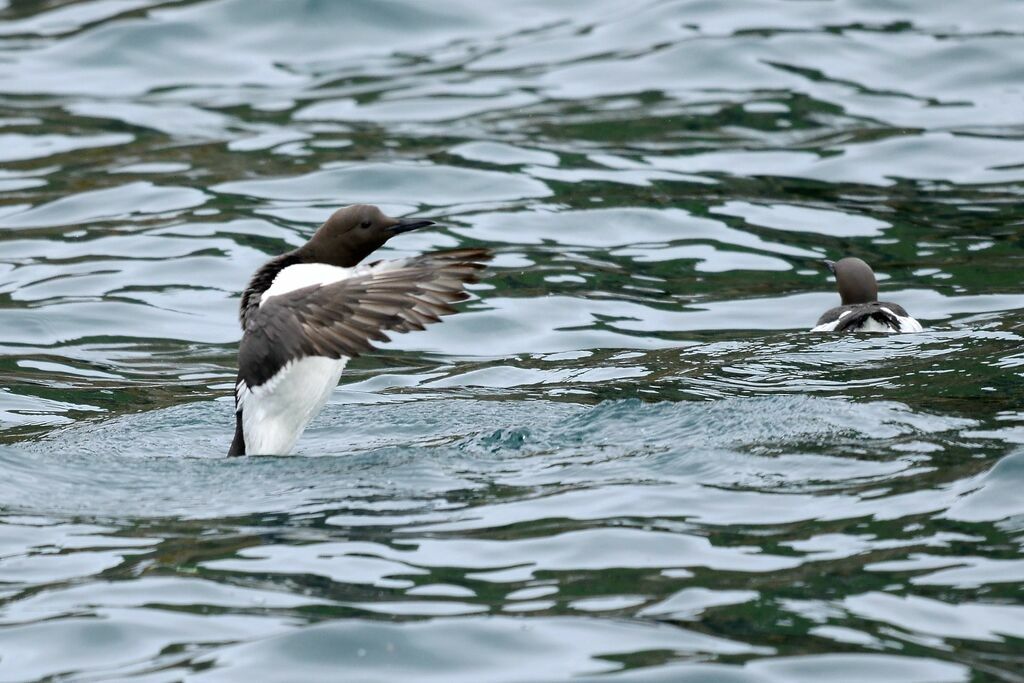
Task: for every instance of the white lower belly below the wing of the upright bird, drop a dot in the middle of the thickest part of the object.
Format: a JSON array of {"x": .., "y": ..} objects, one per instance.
[{"x": 275, "y": 414}]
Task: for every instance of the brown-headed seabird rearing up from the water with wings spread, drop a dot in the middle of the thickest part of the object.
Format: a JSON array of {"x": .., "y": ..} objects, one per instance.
[{"x": 306, "y": 314}]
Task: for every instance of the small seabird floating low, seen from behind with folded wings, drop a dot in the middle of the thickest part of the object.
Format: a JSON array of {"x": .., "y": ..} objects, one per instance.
[{"x": 861, "y": 310}]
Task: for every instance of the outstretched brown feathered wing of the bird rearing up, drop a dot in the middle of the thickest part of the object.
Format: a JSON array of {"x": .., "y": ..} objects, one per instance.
[{"x": 345, "y": 318}]
